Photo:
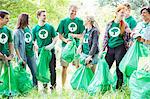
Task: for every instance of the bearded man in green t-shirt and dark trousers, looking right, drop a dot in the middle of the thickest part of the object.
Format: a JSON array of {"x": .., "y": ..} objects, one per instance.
[{"x": 45, "y": 36}]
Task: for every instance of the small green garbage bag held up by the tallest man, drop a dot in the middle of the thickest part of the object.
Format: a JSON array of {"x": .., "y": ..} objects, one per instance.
[{"x": 69, "y": 52}]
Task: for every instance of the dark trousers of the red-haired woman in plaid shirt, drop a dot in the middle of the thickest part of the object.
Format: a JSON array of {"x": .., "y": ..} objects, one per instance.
[{"x": 117, "y": 54}]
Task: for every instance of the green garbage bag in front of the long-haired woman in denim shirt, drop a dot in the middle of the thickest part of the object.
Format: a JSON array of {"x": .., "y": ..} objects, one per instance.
[{"x": 24, "y": 82}]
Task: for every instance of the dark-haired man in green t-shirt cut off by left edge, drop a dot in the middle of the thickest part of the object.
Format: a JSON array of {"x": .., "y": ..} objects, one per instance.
[{"x": 6, "y": 46}]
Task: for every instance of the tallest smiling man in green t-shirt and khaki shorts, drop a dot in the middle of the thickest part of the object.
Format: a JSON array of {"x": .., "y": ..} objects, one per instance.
[{"x": 75, "y": 27}]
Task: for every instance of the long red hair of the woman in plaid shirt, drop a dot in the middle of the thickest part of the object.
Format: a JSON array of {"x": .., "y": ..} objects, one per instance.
[{"x": 122, "y": 23}]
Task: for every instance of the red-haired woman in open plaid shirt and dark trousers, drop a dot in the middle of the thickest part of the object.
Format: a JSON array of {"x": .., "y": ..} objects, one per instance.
[{"x": 116, "y": 41}]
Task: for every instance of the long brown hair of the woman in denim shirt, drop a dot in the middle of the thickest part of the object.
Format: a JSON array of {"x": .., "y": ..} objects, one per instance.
[{"x": 23, "y": 20}]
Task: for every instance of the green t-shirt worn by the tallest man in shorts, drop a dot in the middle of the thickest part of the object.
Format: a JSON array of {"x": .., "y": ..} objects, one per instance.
[{"x": 68, "y": 25}]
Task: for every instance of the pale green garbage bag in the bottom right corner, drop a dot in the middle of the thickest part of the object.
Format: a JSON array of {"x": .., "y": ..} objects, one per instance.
[{"x": 139, "y": 85}]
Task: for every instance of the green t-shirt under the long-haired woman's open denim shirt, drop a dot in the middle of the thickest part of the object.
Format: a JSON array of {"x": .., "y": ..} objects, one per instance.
[{"x": 28, "y": 42}]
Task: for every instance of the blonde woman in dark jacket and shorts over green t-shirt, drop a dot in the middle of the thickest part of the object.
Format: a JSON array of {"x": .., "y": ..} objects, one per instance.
[{"x": 89, "y": 44}]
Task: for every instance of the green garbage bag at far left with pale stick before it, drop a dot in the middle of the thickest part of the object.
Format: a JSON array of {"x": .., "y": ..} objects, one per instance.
[{"x": 9, "y": 86}]
